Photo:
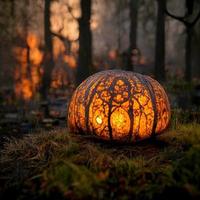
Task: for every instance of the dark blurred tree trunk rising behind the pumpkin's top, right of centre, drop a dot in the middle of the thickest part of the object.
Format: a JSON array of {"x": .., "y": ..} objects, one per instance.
[{"x": 133, "y": 13}]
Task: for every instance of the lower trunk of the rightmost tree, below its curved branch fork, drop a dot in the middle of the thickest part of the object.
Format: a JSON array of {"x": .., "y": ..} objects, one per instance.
[{"x": 188, "y": 53}]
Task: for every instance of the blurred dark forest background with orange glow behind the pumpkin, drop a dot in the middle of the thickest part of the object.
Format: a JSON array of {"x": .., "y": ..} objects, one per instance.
[{"x": 48, "y": 47}]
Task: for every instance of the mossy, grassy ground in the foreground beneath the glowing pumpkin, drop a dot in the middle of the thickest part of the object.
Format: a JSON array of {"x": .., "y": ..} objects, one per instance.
[{"x": 59, "y": 165}]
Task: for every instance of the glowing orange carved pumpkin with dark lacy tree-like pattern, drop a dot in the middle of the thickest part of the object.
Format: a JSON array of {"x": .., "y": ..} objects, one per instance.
[{"x": 119, "y": 105}]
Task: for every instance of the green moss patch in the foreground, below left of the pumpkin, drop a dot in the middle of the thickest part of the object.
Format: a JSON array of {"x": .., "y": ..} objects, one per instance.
[{"x": 69, "y": 179}]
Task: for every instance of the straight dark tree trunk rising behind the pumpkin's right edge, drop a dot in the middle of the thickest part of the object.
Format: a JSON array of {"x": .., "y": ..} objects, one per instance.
[{"x": 160, "y": 41}]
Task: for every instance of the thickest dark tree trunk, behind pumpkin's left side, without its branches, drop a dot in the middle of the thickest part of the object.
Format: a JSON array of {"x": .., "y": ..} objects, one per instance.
[{"x": 85, "y": 42}]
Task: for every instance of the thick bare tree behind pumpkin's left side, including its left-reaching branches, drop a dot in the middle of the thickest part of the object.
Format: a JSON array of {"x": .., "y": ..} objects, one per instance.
[{"x": 84, "y": 66}]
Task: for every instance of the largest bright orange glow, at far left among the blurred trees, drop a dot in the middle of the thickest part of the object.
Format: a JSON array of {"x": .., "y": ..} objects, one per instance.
[{"x": 28, "y": 75}]
